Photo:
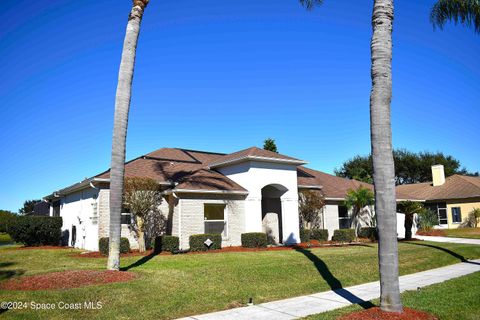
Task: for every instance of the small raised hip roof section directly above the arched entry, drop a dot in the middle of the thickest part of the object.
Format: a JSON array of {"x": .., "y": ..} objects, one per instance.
[{"x": 252, "y": 153}]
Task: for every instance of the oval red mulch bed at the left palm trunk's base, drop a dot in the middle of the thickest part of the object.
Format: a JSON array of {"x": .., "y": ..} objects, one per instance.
[{"x": 66, "y": 280}]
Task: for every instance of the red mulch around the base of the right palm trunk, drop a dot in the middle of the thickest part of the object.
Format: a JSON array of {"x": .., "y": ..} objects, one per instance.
[{"x": 377, "y": 314}]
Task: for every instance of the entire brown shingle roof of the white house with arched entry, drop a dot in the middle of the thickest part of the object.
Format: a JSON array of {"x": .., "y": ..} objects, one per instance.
[{"x": 185, "y": 170}]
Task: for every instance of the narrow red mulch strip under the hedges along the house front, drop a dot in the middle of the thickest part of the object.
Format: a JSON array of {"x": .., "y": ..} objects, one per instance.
[{"x": 303, "y": 245}]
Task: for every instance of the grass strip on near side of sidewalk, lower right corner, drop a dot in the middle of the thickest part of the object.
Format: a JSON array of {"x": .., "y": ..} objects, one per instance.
[{"x": 455, "y": 299}]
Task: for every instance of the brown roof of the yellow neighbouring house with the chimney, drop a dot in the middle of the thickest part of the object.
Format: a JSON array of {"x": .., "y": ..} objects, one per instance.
[{"x": 455, "y": 187}]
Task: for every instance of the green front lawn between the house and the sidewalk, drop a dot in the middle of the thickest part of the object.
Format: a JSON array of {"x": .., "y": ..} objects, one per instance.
[{"x": 174, "y": 286}]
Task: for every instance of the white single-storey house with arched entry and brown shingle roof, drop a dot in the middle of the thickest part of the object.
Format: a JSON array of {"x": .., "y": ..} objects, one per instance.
[{"x": 252, "y": 190}]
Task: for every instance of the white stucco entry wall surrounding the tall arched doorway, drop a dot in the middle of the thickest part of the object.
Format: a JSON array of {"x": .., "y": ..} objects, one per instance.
[{"x": 253, "y": 176}]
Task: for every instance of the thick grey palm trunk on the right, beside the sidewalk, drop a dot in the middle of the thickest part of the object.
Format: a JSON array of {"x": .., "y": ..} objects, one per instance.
[{"x": 383, "y": 166}]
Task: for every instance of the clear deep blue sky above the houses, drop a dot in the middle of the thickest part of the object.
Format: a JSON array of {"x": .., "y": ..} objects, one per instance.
[{"x": 222, "y": 76}]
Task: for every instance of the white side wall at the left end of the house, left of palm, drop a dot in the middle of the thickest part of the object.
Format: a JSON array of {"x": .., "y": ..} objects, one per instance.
[{"x": 80, "y": 209}]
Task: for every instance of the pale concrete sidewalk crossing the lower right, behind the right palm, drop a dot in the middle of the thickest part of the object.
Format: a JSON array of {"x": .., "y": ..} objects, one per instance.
[{"x": 303, "y": 306}]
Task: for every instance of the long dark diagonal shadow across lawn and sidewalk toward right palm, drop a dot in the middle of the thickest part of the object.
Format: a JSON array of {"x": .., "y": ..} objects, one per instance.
[{"x": 333, "y": 282}]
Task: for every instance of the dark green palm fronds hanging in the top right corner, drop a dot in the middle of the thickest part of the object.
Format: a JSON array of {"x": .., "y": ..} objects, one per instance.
[{"x": 466, "y": 12}]
